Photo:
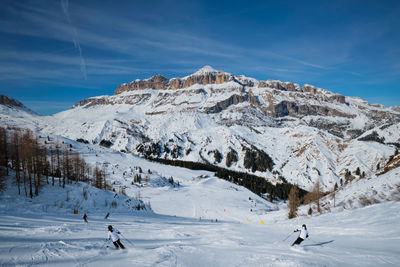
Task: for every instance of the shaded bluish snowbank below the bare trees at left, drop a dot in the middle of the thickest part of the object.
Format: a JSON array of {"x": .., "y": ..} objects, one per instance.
[{"x": 81, "y": 197}]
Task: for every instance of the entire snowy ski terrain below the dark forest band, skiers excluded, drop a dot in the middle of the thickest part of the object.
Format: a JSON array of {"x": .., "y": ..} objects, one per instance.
[{"x": 198, "y": 220}]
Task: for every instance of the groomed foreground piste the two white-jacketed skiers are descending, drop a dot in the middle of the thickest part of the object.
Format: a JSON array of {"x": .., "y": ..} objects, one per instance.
[{"x": 364, "y": 237}]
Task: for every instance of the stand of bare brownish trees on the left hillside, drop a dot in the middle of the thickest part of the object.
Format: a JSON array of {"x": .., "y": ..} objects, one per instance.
[{"x": 38, "y": 161}]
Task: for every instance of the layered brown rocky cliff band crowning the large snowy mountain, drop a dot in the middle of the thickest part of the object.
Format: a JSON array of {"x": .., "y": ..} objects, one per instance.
[{"x": 212, "y": 91}]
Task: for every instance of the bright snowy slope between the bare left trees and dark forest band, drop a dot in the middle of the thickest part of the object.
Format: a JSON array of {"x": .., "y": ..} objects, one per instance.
[{"x": 197, "y": 194}]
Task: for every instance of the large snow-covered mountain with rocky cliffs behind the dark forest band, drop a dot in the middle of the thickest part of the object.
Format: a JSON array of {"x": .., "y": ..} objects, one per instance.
[{"x": 278, "y": 130}]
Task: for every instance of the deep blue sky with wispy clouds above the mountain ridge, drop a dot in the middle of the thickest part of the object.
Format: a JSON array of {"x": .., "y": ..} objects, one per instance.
[{"x": 55, "y": 53}]
